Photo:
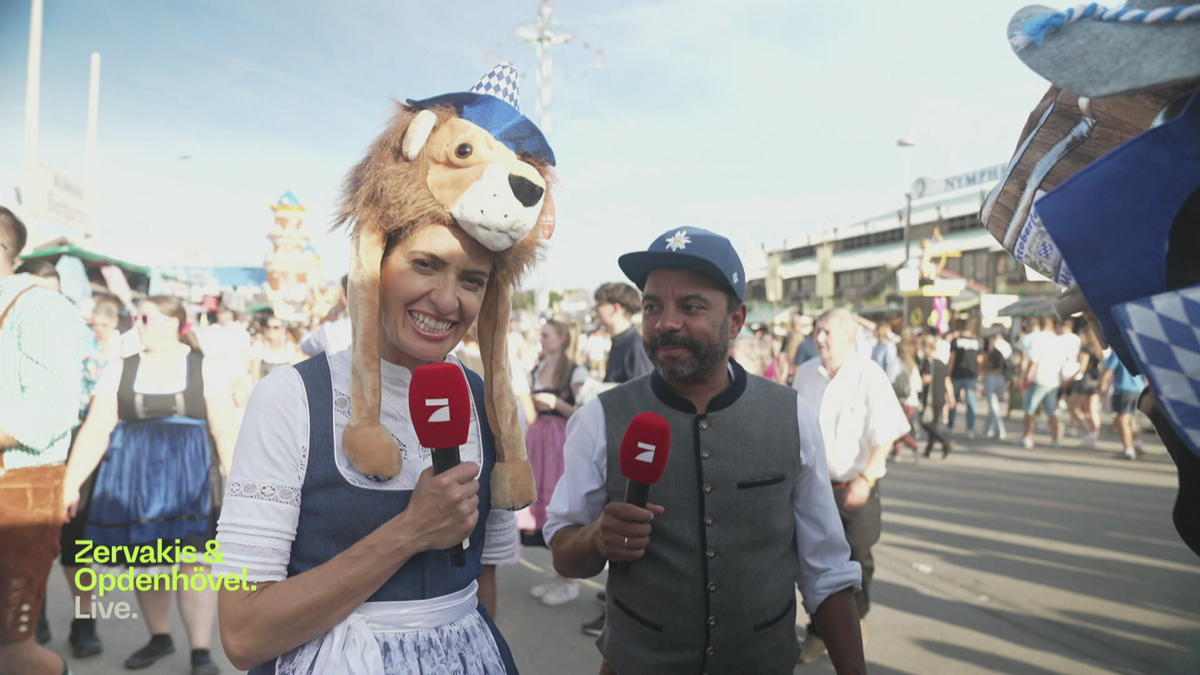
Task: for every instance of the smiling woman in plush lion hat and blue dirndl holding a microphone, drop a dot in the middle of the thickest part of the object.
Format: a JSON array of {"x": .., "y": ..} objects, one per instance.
[{"x": 448, "y": 211}]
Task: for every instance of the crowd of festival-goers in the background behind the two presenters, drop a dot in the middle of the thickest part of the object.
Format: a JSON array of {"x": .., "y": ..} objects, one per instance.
[{"x": 165, "y": 401}]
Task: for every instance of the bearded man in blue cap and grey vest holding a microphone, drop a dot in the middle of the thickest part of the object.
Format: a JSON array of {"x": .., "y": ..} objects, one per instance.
[{"x": 745, "y": 511}]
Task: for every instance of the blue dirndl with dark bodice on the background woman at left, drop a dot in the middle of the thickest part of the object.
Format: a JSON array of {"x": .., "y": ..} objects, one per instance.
[{"x": 160, "y": 477}]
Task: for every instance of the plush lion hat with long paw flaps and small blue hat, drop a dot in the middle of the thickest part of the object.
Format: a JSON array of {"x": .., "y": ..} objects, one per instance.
[{"x": 470, "y": 160}]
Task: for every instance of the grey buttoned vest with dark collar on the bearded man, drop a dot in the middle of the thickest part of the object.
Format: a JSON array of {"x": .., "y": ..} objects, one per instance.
[{"x": 716, "y": 593}]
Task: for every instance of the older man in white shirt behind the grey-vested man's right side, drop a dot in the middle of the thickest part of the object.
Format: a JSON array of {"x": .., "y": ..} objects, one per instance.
[{"x": 860, "y": 420}]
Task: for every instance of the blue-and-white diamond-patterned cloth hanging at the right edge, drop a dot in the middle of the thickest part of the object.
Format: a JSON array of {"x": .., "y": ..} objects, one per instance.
[{"x": 1165, "y": 336}]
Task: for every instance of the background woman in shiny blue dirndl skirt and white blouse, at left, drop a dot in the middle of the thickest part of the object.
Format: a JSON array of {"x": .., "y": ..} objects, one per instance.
[{"x": 160, "y": 428}]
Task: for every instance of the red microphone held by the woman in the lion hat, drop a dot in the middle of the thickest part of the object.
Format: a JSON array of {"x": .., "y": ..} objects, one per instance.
[{"x": 440, "y": 407}]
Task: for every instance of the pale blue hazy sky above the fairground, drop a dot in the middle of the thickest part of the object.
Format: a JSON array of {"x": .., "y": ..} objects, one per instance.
[{"x": 760, "y": 120}]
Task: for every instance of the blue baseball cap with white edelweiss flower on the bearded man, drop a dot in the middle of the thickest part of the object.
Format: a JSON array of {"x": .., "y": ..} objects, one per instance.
[{"x": 693, "y": 249}]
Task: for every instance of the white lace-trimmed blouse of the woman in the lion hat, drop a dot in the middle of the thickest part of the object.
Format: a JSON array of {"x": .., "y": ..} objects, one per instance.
[{"x": 262, "y": 503}]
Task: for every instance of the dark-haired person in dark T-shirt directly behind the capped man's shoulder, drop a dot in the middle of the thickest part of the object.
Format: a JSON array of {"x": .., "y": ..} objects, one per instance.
[{"x": 616, "y": 306}]
